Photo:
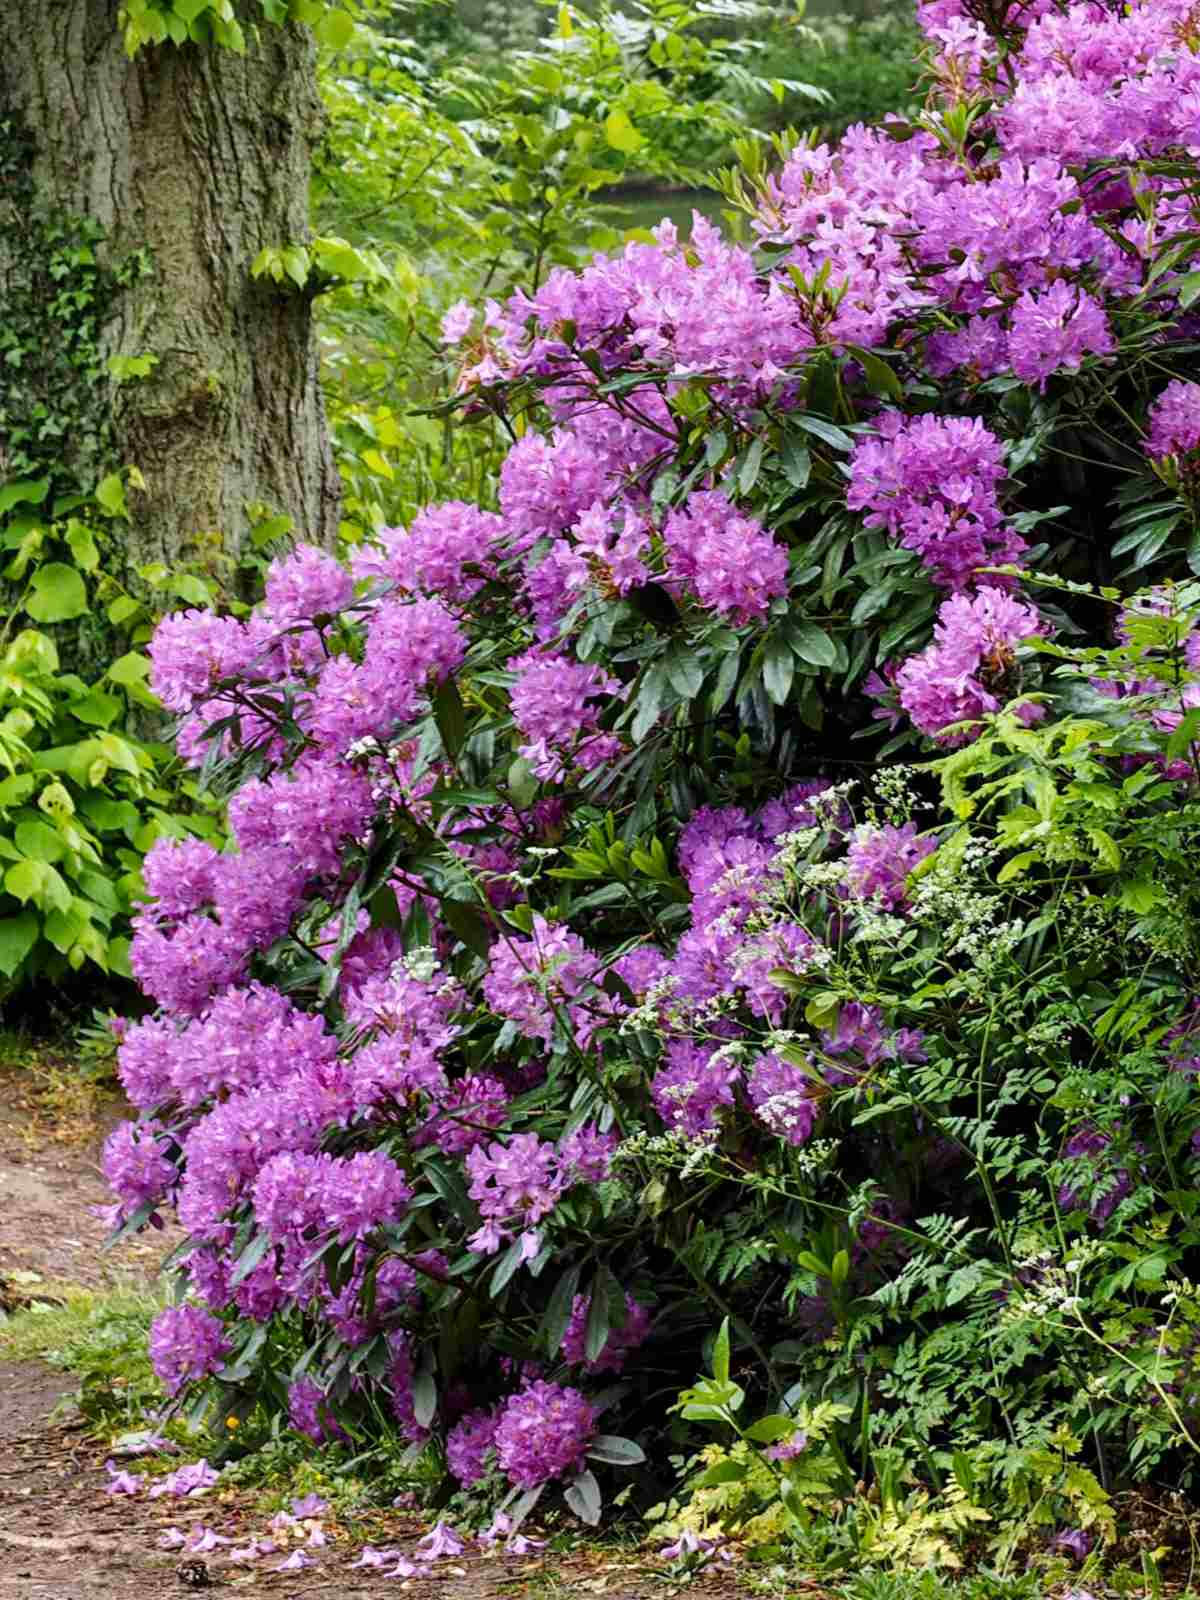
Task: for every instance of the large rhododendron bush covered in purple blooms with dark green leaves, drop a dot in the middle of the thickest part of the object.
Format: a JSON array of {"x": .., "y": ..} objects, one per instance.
[{"x": 562, "y": 994}]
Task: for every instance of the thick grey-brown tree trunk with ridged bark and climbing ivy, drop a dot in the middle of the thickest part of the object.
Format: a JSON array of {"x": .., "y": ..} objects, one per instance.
[{"x": 190, "y": 159}]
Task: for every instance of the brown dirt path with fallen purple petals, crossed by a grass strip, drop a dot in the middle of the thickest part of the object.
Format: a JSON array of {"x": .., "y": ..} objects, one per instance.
[{"x": 63, "y": 1537}]
